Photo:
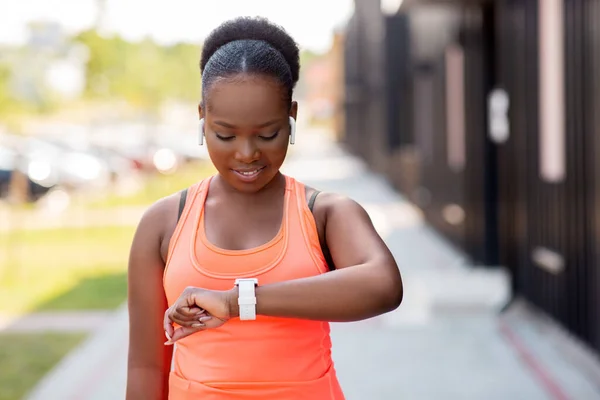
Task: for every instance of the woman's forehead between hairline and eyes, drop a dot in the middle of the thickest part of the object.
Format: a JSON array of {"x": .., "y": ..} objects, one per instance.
[{"x": 246, "y": 99}]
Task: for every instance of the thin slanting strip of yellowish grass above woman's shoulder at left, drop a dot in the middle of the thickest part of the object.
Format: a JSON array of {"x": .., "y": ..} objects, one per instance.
[{"x": 159, "y": 186}]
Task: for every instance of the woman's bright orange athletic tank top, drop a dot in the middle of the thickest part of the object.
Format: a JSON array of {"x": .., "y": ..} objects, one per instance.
[{"x": 269, "y": 358}]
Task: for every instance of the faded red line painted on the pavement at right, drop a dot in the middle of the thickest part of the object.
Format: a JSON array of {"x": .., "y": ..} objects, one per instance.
[{"x": 540, "y": 373}]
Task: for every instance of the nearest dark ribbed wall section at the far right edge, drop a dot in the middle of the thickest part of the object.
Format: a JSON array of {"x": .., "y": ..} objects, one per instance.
[{"x": 550, "y": 232}]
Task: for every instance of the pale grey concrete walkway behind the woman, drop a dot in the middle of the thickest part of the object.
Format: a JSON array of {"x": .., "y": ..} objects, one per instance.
[{"x": 446, "y": 341}]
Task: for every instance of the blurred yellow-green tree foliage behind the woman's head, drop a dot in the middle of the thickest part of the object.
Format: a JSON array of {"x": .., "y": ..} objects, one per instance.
[{"x": 142, "y": 73}]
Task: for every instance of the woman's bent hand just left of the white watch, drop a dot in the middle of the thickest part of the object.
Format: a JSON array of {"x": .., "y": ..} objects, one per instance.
[{"x": 195, "y": 310}]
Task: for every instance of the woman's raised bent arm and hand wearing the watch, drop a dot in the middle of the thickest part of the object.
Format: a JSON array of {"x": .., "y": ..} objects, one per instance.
[{"x": 366, "y": 282}]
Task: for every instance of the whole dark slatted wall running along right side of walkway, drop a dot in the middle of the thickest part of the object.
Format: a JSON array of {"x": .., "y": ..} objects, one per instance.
[{"x": 489, "y": 120}]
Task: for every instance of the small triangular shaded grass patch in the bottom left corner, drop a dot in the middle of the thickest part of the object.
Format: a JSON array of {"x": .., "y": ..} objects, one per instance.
[{"x": 26, "y": 358}]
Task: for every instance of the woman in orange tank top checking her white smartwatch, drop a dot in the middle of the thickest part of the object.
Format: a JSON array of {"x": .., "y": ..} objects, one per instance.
[{"x": 315, "y": 256}]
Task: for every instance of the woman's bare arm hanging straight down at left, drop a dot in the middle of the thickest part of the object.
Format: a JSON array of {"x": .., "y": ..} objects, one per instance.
[{"x": 149, "y": 360}]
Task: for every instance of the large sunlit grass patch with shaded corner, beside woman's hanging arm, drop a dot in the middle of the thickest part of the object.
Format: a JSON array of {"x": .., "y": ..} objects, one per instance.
[{"x": 68, "y": 268}]
